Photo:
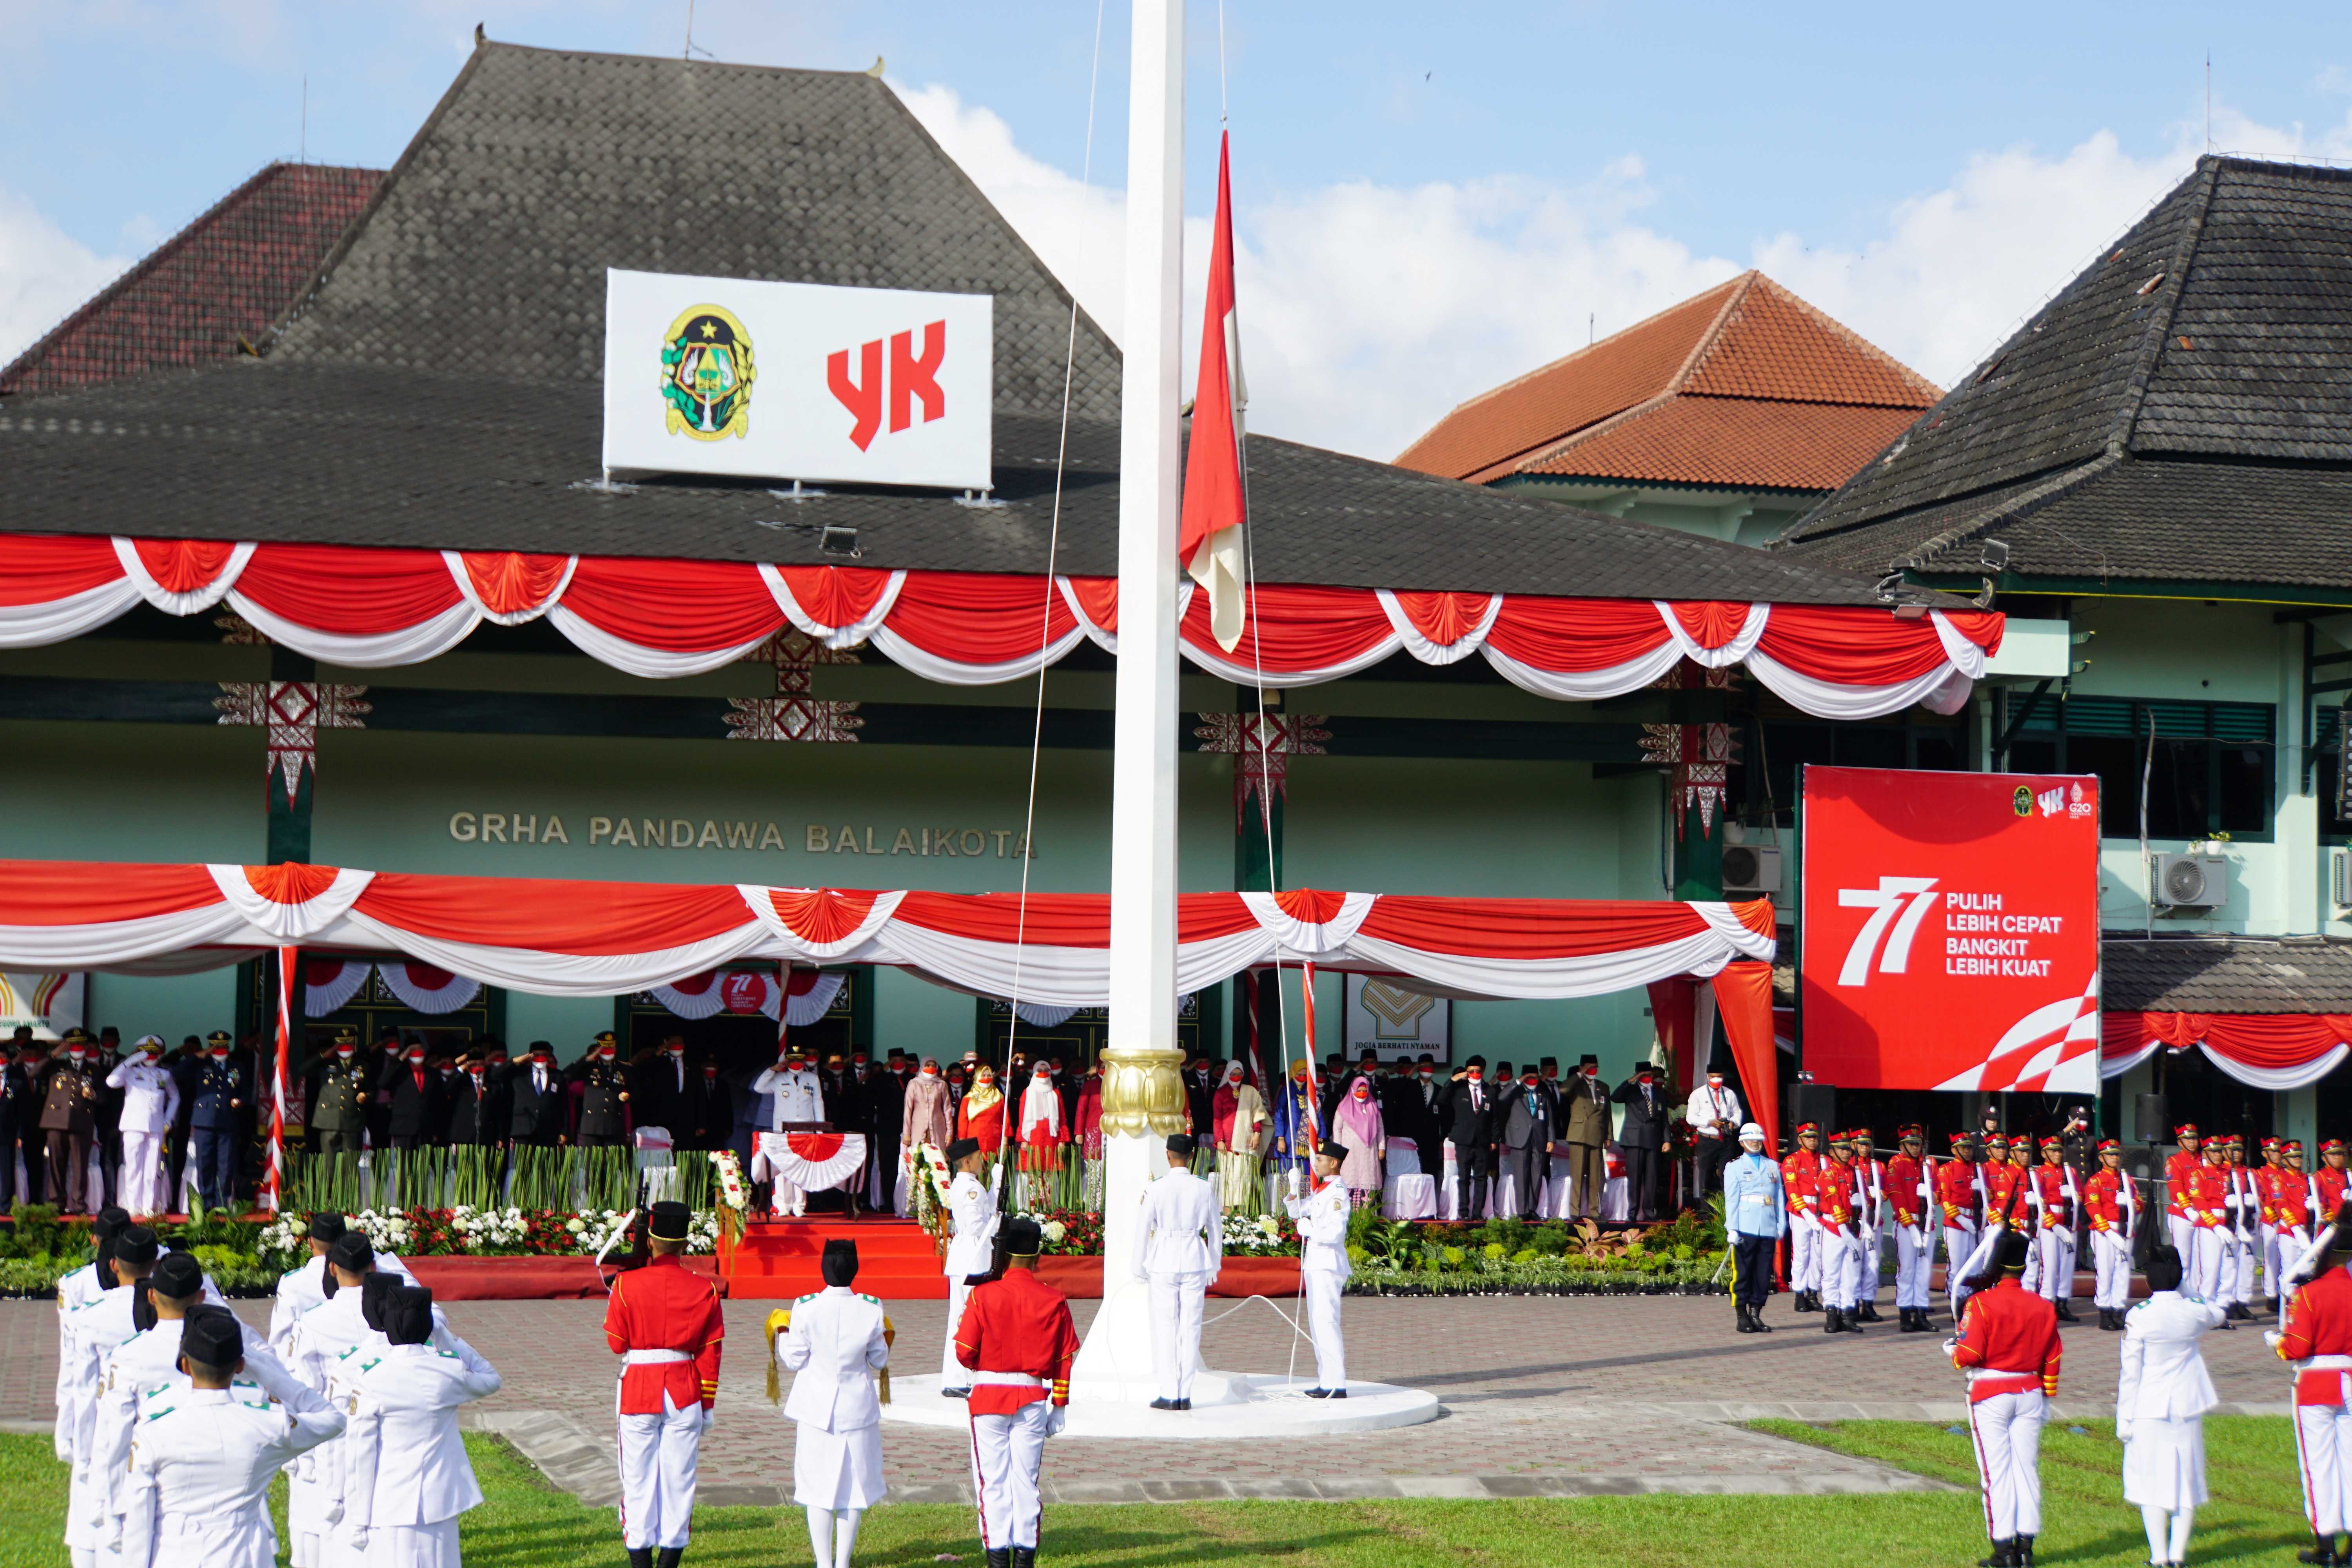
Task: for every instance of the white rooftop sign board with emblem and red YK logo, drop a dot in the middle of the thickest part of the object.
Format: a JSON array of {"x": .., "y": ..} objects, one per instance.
[{"x": 799, "y": 382}]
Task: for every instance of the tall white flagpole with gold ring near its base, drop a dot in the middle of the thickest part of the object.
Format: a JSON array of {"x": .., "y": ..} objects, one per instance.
[{"x": 1142, "y": 1094}]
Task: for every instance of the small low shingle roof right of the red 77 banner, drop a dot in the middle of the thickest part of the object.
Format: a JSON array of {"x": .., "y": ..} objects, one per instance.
[{"x": 2226, "y": 974}]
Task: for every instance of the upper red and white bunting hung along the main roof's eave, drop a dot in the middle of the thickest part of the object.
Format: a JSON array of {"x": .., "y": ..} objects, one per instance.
[{"x": 363, "y": 608}]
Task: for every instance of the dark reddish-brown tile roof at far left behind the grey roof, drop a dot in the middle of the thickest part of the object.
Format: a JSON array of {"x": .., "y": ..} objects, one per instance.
[{"x": 227, "y": 276}]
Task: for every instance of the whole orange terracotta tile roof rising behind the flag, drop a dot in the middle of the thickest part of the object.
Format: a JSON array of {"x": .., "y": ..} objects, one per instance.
[{"x": 1749, "y": 347}]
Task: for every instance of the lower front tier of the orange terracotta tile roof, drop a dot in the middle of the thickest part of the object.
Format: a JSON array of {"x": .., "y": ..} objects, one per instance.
[{"x": 1730, "y": 441}]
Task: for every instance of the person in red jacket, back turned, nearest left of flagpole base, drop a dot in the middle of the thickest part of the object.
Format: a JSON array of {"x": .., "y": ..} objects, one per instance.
[{"x": 1017, "y": 1341}]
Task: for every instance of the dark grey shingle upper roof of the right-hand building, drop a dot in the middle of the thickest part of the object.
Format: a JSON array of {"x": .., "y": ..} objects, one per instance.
[{"x": 2219, "y": 328}]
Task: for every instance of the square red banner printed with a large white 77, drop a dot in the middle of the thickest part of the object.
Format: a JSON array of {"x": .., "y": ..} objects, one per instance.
[{"x": 1951, "y": 930}]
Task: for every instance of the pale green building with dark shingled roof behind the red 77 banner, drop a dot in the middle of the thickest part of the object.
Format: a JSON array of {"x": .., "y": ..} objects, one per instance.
[{"x": 2158, "y": 469}]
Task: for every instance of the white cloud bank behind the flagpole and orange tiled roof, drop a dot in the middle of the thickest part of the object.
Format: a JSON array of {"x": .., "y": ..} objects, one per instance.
[{"x": 1368, "y": 311}]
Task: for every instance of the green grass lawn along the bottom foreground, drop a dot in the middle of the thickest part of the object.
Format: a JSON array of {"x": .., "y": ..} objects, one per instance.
[{"x": 2254, "y": 1520}]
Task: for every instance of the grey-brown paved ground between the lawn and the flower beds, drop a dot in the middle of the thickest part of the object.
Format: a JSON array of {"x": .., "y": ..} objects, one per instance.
[{"x": 1542, "y": 1395}]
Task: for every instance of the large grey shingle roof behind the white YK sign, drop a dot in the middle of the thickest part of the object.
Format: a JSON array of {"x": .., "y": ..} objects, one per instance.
[{"x": 441, "y": 384}]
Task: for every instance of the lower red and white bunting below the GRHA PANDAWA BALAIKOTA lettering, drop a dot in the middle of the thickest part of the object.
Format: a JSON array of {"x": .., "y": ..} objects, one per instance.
[{"x": 601, "y": 939}]
